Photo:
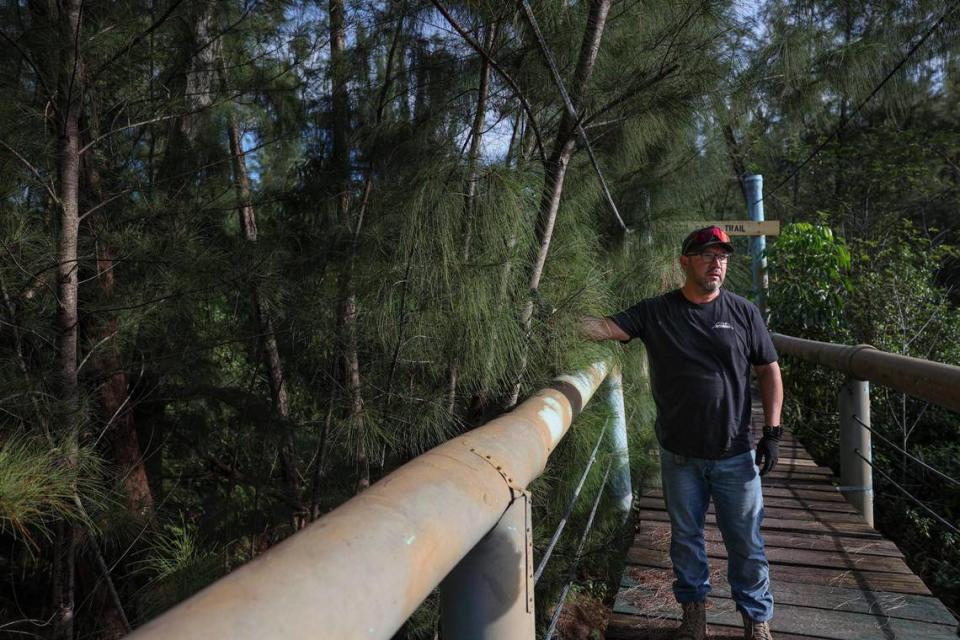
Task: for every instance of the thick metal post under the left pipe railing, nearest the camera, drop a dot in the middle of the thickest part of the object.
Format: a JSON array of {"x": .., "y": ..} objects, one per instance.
[{"x": 489, "y": 594}]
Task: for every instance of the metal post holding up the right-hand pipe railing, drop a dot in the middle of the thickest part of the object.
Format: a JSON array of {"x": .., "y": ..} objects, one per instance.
[{"x": 856, "y": 475}]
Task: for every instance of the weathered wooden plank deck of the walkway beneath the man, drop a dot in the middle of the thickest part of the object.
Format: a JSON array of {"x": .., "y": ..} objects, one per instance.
[{"x": 832, "y": 575}]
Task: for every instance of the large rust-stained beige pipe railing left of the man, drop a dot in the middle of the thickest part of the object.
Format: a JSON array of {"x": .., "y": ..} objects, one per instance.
[{"x": 361, "y": 570}]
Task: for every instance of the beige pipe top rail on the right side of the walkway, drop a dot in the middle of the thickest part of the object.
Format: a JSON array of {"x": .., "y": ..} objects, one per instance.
[{"x": 932, "y": 381}]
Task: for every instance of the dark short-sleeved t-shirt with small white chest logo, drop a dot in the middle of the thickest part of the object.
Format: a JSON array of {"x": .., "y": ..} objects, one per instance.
[{"x": 700, "y": 357}]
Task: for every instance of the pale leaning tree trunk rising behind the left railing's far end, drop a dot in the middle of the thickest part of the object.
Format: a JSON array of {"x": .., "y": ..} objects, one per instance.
[{"x": 557, "y": 164}]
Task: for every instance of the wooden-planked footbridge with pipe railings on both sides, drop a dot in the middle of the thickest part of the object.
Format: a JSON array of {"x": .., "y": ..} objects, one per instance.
[{"x": 457, "y": 520}]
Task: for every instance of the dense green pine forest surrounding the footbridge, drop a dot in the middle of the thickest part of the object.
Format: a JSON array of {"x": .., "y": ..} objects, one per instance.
[{"x": 258, "y": 253}]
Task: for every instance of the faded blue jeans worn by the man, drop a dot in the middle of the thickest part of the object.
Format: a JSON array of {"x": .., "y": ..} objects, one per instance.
[{"x": 734, "y": 486}]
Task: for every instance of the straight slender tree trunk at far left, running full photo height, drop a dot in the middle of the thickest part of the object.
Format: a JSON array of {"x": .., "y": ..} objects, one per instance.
[{"x": 68, "y": 125}]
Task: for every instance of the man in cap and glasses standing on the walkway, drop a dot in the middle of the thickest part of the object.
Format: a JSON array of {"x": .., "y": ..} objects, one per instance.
[{"x": 702, "y": 342}]
